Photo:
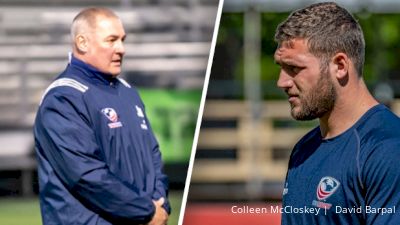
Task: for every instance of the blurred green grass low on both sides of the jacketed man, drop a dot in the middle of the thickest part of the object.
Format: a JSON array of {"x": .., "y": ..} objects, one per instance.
[{"x": 26, "y": 211}]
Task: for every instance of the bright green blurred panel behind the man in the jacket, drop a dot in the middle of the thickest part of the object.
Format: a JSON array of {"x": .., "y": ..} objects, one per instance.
[{"x": 172, "y": 114}]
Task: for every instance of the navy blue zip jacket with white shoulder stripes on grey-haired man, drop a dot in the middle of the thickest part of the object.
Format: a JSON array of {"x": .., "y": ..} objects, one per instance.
[{"x": 99, "y": 162}]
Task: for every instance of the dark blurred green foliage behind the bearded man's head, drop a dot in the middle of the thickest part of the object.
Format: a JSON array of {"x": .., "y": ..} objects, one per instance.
[{"x": 382, "y": 36}]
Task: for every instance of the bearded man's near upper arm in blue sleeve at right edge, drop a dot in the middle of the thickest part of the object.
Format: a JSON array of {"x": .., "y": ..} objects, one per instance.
[{"x": 381, "y": 178}]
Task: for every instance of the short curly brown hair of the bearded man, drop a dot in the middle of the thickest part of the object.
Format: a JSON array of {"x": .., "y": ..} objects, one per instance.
[{"x": 329, "y": 29}]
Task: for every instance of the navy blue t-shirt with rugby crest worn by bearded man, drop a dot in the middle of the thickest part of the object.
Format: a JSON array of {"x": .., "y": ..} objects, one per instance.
[{"x": 353, "y": 178}]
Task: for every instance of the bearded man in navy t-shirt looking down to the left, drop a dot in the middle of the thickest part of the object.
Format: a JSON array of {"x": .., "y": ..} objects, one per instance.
[{"x": 348, "y": 166}]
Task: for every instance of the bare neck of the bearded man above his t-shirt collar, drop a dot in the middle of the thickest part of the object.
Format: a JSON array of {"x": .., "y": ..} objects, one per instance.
[{"x": 348, "y": 109}]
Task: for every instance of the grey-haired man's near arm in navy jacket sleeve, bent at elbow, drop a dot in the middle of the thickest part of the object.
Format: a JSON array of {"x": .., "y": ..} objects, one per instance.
[{"x": 72, "y": 151}]
